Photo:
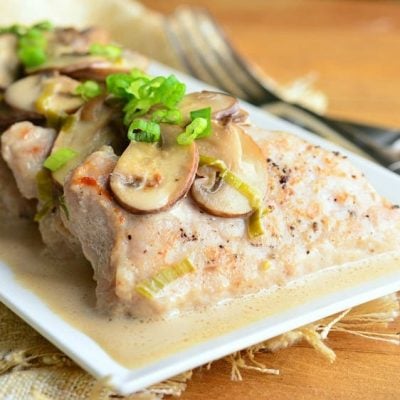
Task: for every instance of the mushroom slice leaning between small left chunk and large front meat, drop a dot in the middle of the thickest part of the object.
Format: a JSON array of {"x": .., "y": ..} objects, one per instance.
[{"x": 84, "y": 132}]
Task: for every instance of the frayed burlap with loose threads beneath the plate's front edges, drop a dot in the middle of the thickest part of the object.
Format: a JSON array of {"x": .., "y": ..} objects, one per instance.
[{"x": 33, "y": 369}]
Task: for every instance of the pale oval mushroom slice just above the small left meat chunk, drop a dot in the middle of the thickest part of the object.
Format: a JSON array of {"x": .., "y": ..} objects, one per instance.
[{"x": 44, "y": 94}]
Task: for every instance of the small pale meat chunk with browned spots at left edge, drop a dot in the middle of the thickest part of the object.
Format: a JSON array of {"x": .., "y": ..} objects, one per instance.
[{"x": 24, "y": 147}]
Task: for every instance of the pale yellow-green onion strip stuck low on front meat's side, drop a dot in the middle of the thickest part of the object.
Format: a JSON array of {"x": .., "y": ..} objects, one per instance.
[{"x": 149, "y": 288}]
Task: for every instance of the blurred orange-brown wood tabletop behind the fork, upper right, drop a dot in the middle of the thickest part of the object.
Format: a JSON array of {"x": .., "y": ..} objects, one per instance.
[{"x": 350, "y": 48}]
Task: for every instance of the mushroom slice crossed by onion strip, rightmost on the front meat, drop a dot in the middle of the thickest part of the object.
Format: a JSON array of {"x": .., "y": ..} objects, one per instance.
[{"x": 245, "y": 162}]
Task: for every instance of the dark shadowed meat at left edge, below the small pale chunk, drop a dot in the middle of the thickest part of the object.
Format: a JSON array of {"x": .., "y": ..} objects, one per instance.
[{"x": 12, "y": 204}]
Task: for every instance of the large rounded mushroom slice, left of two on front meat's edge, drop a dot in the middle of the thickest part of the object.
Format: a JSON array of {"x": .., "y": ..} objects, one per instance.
[{"x": 150, "y": 177}]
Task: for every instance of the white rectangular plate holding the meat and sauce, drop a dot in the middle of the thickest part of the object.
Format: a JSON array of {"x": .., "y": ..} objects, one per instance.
[{"x": 88, "y": 354}]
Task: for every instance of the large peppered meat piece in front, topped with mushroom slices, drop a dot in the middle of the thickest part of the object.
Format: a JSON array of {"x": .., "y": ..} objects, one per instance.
[{"x": 324, "y": 213}]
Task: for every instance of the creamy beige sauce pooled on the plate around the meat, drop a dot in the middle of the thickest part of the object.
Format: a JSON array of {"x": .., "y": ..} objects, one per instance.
[{"x": 68, "y": 289}]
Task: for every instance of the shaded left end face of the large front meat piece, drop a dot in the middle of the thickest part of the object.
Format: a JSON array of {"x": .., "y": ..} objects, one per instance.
[{"x": 97, "y": 236}]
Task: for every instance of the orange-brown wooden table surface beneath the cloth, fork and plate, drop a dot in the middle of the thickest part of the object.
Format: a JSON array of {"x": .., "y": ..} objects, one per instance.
[{"x": 354, "y": 47}]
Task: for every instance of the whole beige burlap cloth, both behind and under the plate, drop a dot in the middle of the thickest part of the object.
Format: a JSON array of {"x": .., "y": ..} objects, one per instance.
[{"x": 31, "y": 367}]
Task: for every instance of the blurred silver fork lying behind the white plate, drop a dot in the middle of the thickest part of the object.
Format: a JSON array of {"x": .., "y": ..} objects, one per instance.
[{"x": 207, "y": 54}]
